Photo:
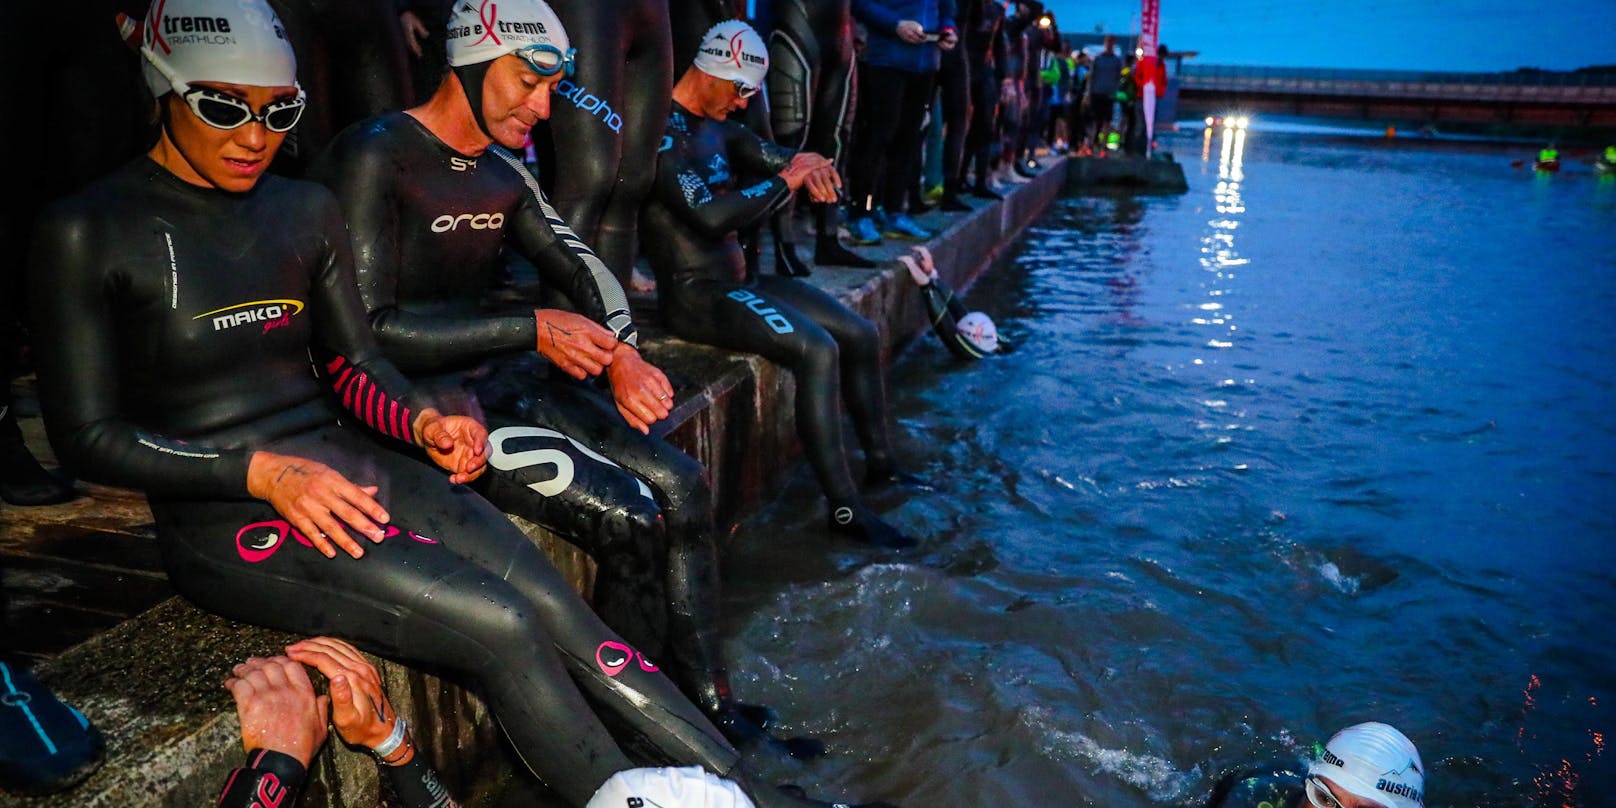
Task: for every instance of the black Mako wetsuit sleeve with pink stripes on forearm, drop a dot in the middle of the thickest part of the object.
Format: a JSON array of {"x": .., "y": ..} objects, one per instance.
[{"x": 363, "y": 379}]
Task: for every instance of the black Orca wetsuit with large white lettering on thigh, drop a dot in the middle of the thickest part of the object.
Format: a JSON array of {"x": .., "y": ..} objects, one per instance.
[{"x": 431, "y": 227}]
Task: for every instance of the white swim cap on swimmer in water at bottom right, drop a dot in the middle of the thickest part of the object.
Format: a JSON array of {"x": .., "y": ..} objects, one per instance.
[{"x": 1374, "y": 762}]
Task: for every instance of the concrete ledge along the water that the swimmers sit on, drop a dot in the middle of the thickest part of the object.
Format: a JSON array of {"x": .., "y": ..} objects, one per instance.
[{"x": 153, "y": 683}]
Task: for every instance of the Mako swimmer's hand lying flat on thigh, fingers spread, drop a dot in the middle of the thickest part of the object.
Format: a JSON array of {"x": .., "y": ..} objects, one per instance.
[{"x": 318, "y": 502}]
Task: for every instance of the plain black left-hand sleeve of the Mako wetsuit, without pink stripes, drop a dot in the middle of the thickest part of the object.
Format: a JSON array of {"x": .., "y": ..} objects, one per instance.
[{"x": 75, "y": 318}]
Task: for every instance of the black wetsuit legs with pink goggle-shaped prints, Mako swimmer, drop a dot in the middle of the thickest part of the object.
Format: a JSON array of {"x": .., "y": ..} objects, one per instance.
[{"x": 460, "y": 591}]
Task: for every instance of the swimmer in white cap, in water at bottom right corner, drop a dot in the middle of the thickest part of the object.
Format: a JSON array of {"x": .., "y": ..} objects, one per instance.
[{"x": 1363, "y": 767}]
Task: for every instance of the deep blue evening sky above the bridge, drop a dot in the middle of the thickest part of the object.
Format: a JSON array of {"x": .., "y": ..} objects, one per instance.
[{"x": 1391, "y": 35}]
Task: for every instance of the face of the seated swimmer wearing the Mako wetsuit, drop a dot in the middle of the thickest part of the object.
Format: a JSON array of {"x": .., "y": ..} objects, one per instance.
[{"x": 224, "y": 159}]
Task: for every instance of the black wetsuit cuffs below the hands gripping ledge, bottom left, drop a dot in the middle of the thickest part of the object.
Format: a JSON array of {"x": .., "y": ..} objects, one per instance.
[{"x": 276, "y": 780}]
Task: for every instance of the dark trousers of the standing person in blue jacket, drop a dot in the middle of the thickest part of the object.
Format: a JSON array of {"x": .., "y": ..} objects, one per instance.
[{"x": 886, "y": 133}]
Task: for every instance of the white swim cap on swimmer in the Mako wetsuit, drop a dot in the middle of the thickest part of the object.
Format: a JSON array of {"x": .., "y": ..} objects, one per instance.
[{"x": 230, "y": 41}]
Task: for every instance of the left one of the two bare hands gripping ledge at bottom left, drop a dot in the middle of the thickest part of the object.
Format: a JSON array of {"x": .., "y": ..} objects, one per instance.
[{"x": 279, "y": 709}]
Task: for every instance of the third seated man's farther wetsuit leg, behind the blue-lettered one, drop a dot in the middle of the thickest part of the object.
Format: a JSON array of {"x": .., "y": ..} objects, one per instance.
[{"x": 859, "y": 347}]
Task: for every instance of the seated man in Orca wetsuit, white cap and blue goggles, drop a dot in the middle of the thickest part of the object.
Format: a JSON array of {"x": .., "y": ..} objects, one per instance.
[{"x": 432, "y": 198}]
